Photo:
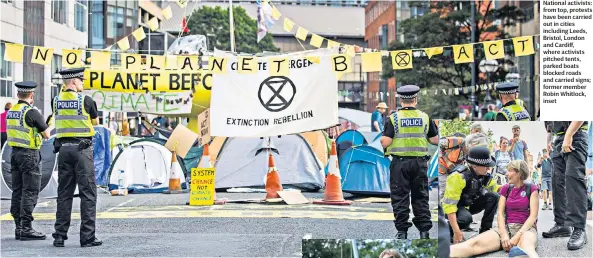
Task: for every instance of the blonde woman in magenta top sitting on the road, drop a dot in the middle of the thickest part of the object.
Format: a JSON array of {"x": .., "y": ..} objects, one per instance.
[{"x": 517, "y": 218}]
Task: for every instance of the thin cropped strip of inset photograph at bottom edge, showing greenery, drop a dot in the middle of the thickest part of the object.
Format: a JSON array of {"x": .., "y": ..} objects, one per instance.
[{"x": 369, "y": 248}]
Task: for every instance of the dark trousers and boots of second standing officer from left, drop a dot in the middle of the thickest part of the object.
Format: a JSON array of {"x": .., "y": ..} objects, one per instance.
[{"x": 76, "y": 166}]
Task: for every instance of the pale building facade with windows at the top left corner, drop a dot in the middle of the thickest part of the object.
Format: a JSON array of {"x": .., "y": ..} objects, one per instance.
[{"x": 54, "y": 24}]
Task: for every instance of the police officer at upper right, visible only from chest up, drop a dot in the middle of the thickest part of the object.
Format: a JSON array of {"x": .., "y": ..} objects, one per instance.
[{"x": 510, "y": 111}]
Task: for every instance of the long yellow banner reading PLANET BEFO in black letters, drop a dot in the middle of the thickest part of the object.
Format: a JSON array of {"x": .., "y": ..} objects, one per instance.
[{"x": 161, "y": 81}]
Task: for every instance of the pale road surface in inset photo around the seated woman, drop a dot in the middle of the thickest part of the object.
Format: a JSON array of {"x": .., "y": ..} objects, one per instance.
[{"x": 546, "y": 247}]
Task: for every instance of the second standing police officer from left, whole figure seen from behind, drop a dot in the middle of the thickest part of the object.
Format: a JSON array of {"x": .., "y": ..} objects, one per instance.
[{"x": 74, "y": 116}]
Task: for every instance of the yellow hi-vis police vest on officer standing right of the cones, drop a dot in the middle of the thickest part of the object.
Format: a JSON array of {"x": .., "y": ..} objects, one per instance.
[{"x": 410, "y": 127}]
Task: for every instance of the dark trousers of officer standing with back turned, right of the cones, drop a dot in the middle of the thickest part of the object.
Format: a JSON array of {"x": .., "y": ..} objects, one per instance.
[{"x": 408, "y": 176}]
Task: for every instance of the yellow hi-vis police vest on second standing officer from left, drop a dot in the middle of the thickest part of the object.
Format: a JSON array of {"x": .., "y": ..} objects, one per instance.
[{"x": 70, "y": 117}]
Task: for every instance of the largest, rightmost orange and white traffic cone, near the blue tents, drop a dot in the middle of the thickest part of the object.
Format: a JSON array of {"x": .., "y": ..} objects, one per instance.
[{"x": 333, "y": 186}]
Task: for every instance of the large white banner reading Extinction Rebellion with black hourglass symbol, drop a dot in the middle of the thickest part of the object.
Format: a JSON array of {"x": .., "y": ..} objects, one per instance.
[{"x": 259, "y": 104}]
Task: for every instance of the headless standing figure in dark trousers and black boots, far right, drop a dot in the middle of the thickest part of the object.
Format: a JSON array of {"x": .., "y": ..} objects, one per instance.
[{"x": 569, "y": 155}]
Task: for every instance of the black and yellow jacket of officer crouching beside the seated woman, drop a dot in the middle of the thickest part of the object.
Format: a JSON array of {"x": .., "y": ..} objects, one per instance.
[{"x": 464, "y": 187}]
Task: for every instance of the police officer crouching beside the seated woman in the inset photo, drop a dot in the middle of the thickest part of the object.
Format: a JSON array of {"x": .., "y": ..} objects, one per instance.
[{"x": 470, "y": 190}]
